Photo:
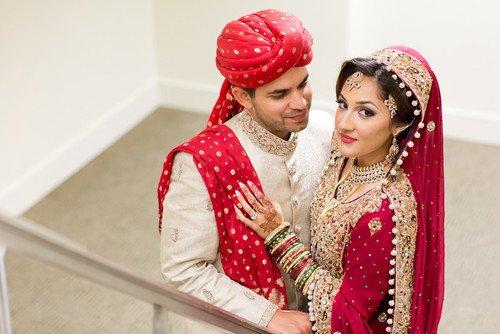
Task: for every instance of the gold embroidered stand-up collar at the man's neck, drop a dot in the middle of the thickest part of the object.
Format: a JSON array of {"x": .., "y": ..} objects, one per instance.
[{"x": 264, "y": 139}]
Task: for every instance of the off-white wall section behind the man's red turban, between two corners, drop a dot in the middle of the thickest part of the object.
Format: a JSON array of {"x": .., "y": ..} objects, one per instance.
[{"x": 187, "y": 32}]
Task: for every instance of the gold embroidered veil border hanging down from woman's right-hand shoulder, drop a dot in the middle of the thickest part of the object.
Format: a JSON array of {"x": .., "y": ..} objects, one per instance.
[{"x": 400, "y": 194}]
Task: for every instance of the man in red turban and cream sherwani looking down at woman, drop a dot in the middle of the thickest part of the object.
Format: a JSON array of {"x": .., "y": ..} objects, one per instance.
[{"x": 260, "y": 130}]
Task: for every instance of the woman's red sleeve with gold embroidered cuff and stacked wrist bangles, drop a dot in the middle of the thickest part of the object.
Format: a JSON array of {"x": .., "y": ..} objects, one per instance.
[{"x": 349, "y": 302}]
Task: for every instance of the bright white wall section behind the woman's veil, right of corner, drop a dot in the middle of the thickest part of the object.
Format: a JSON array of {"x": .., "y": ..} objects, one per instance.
[{"x": 460, "y": 39}]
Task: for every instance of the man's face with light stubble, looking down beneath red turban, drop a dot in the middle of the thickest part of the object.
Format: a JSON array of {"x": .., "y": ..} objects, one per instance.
[{"x": 282, "y": 106}]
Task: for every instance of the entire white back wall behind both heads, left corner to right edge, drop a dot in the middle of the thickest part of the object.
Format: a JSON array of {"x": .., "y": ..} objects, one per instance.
[{"x": 458, "y": 38}]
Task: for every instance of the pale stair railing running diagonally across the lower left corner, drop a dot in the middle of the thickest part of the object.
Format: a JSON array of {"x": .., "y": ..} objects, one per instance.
[{"x": 23, "y": 236}]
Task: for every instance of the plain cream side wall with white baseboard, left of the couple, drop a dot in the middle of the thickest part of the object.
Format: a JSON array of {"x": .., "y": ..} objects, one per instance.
[{"x": 75, "y": 75}]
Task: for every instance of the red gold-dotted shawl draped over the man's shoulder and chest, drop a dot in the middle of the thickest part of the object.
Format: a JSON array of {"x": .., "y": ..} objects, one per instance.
[{"x": 223, "y": 163}]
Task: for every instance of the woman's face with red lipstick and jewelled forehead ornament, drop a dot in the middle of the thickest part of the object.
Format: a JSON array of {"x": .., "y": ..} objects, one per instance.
[{"x": 363, "y": 122}]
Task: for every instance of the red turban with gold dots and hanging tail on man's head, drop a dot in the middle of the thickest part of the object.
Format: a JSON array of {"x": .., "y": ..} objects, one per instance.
[{"x": 255, "y": 50}]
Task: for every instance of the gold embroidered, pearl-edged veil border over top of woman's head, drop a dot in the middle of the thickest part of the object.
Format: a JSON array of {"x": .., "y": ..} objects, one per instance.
[{"x": 411, "y": 71}]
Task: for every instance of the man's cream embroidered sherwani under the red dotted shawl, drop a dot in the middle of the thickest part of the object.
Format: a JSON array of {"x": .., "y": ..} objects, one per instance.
[{"x": 288, "y": 171}]
